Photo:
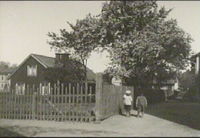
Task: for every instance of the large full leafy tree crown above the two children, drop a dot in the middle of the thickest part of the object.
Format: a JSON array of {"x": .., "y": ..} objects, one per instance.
[{"x": 142, "y": 43}]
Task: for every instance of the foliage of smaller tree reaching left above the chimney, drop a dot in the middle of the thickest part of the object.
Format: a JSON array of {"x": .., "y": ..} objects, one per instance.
[{"x": 78, "y": 42}]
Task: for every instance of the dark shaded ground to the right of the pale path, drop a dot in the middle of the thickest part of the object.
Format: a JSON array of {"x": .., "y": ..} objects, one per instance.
[{"x": 184, "y": 113}]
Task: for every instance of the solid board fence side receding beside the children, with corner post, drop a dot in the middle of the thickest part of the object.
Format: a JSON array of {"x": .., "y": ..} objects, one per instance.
[{"x": 109, "y": 98}]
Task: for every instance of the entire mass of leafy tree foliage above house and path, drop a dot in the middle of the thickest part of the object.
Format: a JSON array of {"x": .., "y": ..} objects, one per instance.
[{"x": 143, "y": 44}]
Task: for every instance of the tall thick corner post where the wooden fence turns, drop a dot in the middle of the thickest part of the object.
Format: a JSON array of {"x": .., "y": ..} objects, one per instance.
[{"x": 98, "y": 97}]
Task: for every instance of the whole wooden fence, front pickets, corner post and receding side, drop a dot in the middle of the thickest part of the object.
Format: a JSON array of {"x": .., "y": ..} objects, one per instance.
[{"x": 80, "y": 102}]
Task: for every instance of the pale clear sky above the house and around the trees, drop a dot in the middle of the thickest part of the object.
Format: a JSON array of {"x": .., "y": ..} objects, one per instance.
[{"x": 24, "y": 26}]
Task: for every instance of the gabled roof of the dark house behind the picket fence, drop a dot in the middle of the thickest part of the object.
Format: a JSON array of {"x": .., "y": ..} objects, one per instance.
[{"x": 49, "y": 62}]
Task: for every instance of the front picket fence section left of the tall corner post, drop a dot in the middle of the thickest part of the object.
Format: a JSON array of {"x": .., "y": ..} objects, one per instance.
[{"x": 72, "y": 102}]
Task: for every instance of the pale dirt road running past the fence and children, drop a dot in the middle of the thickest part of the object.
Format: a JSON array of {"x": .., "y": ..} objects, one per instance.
[{"x": 150, "y": 125}]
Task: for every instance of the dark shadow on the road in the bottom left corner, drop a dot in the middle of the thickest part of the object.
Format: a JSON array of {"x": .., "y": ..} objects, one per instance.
[{"x": 5, "y": 132}]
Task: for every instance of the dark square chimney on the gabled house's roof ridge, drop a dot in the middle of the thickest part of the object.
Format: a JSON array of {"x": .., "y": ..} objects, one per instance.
[{"x": 61, "y": 59}]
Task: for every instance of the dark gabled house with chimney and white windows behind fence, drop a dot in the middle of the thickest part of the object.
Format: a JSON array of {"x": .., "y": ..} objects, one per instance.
[{"x": 31, "y": 72}]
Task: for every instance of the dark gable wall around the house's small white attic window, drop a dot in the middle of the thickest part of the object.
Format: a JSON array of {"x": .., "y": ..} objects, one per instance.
[{"x": 20, "y": 76}]
